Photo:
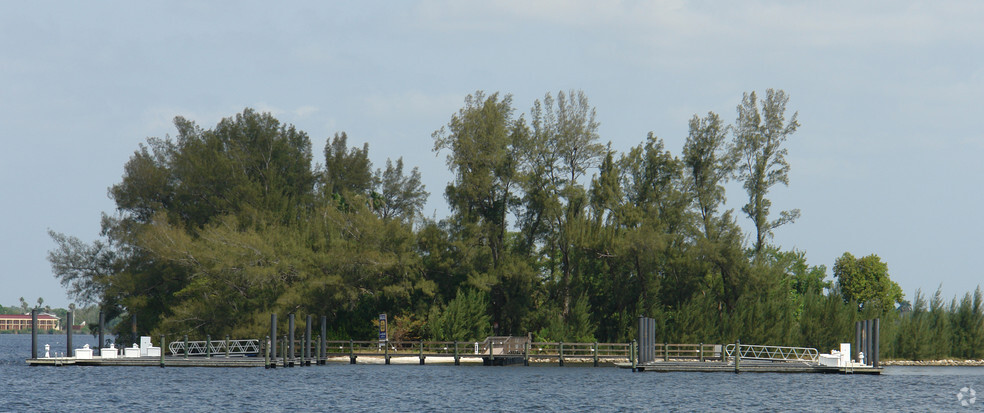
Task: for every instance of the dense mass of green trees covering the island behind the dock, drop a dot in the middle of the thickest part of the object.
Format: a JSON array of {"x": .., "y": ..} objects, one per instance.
[{"x": 551, "y": 232}]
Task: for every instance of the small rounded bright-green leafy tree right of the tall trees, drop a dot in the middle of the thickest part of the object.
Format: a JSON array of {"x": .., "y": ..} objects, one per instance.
[{"x": 866, "y": 281}]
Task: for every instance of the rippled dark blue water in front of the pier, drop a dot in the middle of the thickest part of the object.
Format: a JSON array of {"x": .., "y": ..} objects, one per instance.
[{"x": 343, "y": 387}]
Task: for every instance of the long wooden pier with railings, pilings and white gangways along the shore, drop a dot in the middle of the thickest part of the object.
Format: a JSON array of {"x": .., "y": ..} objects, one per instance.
[{"x": 642, "y": 355}]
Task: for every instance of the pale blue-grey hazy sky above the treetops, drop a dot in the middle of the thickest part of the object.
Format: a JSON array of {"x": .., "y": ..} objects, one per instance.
[{"x": 887, "y": 161}]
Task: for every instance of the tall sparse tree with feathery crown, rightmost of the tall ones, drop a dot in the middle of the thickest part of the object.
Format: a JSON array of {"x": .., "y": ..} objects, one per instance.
[{"x": 761, "y": 158}]
